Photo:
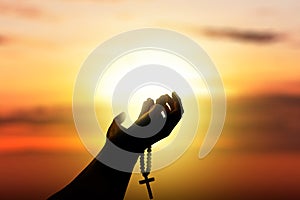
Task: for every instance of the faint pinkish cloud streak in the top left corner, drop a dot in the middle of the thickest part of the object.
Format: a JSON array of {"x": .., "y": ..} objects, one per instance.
[{"x": 19, "y": 8}]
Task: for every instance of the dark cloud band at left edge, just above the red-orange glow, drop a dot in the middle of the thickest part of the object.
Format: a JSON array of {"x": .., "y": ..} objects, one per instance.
[{"x": 36, "y": 116}]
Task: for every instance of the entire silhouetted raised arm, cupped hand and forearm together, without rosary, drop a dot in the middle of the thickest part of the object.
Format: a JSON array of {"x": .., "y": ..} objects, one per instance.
[{"x": 98, "y": 180}]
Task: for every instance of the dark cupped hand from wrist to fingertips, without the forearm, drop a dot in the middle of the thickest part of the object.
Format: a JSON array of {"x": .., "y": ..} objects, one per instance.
[{"x": 155, "y": 122}]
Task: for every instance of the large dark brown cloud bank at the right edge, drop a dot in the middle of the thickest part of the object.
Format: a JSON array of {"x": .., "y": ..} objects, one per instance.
[{"x": 264, "y": 124}]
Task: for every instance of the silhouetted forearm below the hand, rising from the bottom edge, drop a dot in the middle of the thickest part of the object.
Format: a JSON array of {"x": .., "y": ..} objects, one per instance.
[{"x": 101, "y": 181}]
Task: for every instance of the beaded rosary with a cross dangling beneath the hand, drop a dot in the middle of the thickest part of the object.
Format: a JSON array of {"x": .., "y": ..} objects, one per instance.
[{"x": 146, "y": 171}]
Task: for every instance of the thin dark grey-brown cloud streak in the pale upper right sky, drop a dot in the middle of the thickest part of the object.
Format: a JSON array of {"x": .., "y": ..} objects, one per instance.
[{"x": 243, "y": 35}]
